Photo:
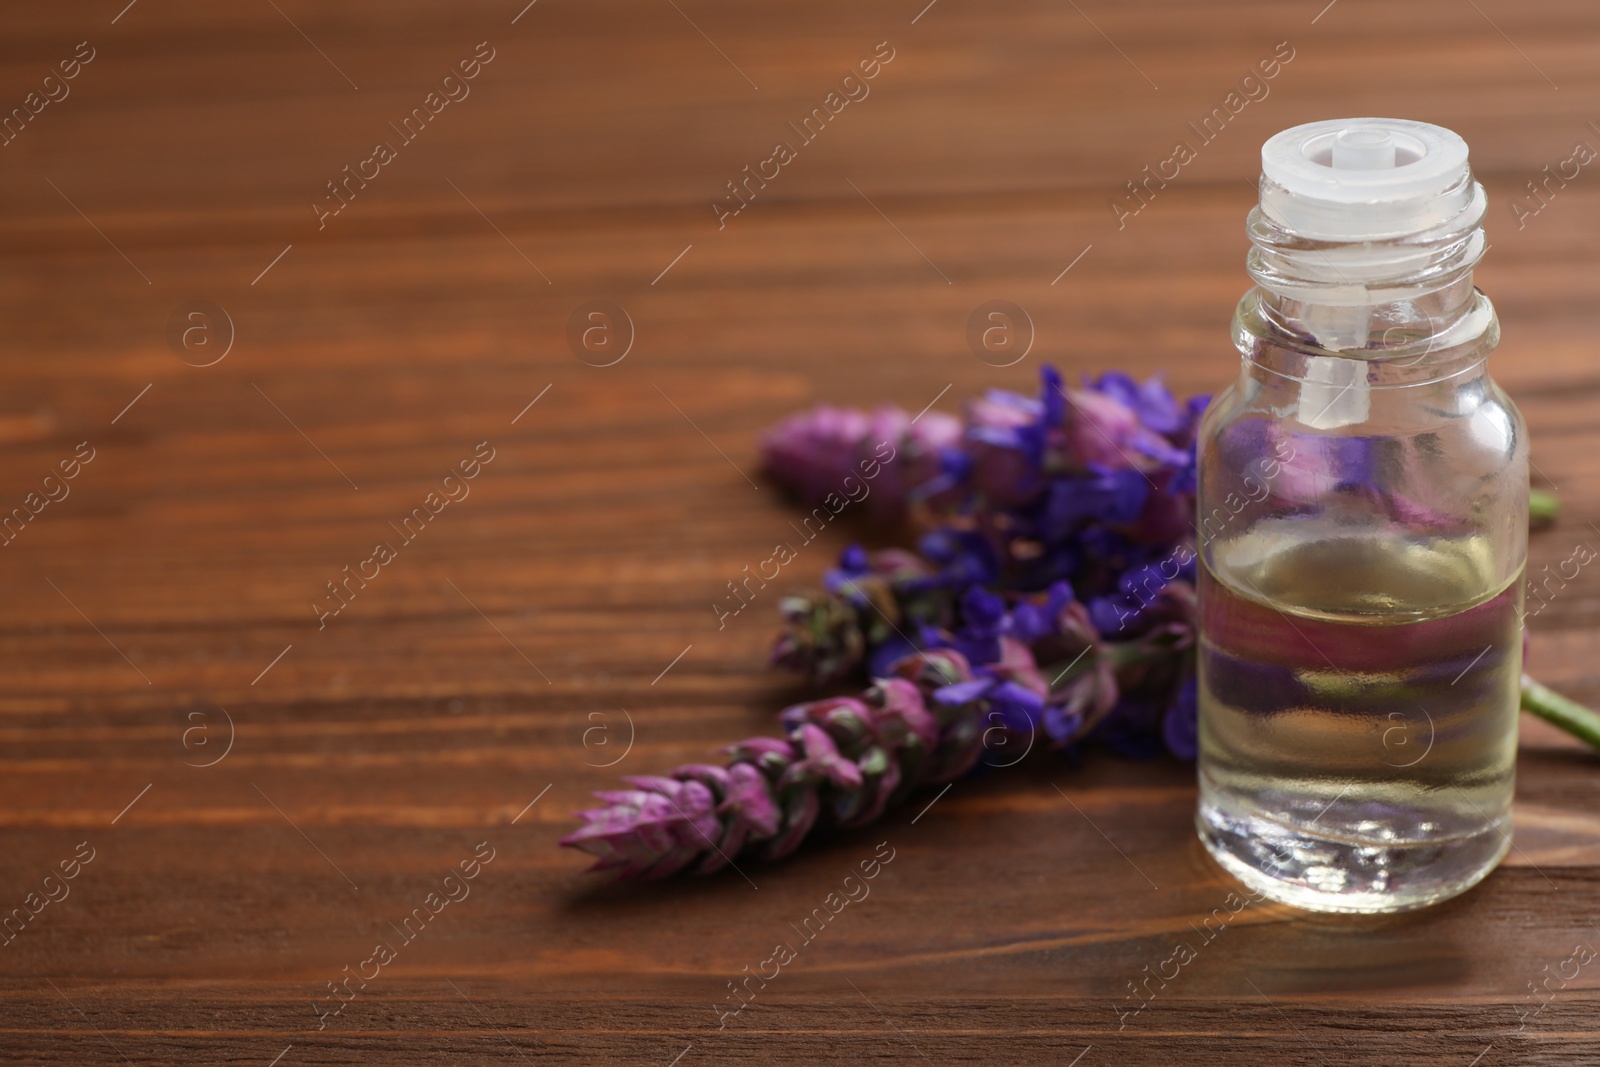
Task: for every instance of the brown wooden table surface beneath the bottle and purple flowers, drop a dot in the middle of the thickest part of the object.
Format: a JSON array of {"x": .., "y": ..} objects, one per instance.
[{"x": 265, "y": 796}]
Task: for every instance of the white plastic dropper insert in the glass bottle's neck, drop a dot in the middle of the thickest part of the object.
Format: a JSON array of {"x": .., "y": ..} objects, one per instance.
[{"x": 1358, "y": 182}]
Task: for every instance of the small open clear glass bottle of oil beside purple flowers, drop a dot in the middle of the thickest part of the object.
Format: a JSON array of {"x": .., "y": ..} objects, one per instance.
[{"x": 1362, "y": 535}]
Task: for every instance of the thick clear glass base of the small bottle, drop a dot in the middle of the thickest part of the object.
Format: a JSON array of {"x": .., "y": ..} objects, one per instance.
[{"x": 1345, "y": 874}]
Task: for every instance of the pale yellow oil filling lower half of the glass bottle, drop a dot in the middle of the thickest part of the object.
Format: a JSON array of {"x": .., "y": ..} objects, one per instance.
[{"x": 1359, "y": 701}]
